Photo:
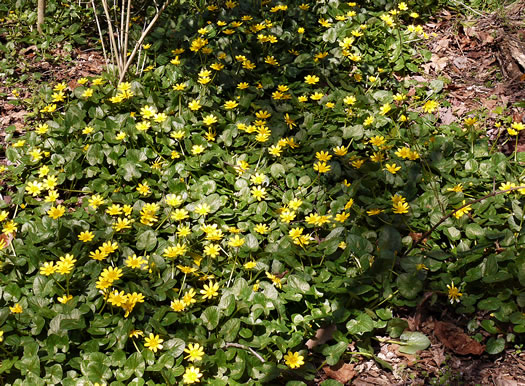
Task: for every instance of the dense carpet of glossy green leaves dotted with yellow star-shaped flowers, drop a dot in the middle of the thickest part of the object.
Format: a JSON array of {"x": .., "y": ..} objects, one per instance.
[{"x": 266, "y": 170}]
